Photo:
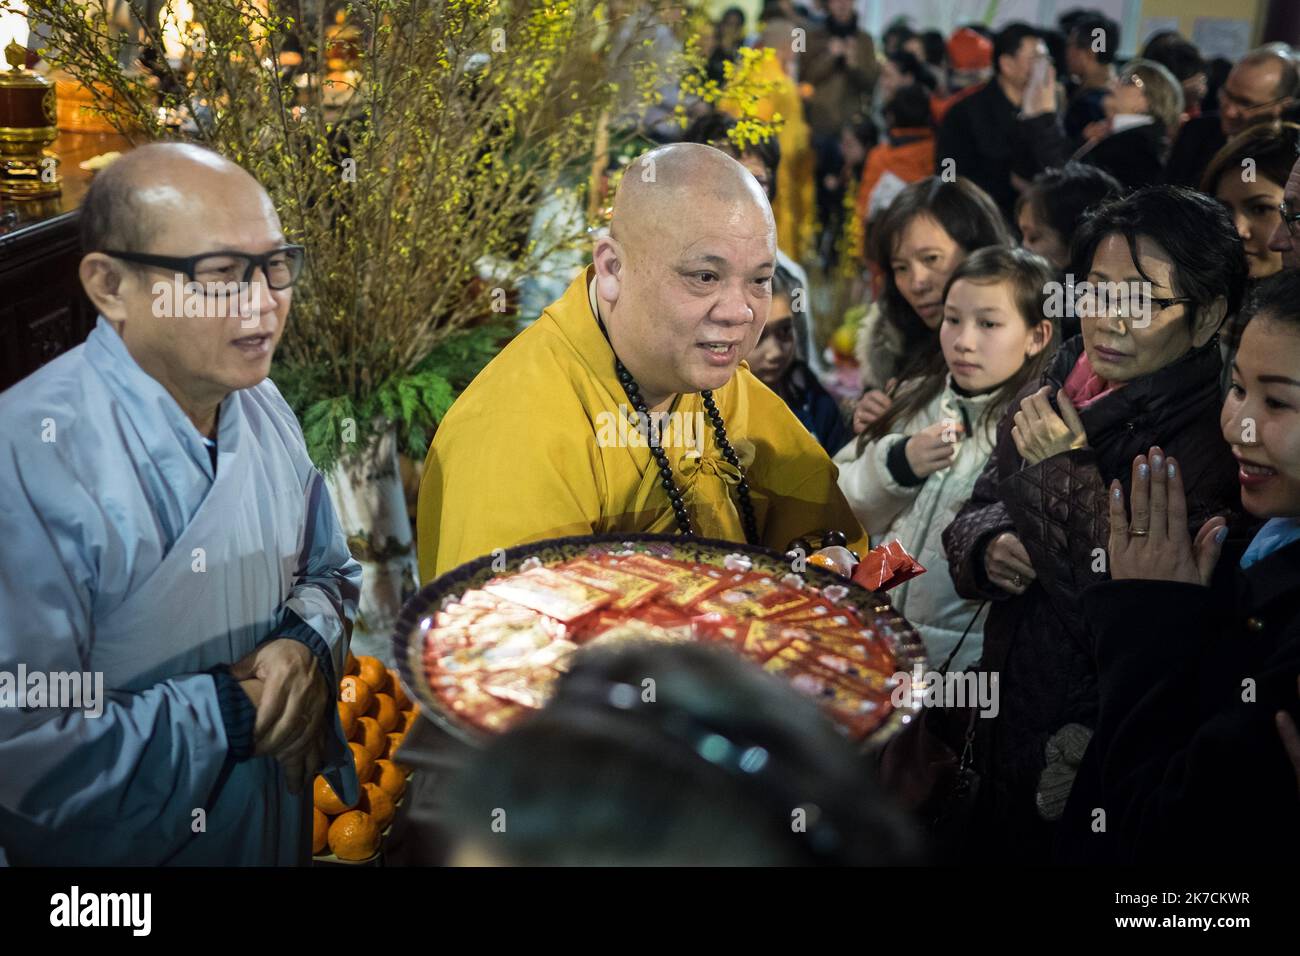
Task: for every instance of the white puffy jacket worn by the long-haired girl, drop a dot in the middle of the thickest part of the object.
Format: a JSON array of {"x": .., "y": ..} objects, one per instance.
[{"x": 918, "y": 516}]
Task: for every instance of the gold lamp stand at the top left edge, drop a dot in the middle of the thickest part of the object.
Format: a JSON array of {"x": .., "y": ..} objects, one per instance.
[{"x": 29, "y": 126}]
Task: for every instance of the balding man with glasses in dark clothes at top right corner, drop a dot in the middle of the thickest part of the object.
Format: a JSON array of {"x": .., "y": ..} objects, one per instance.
[{"x": 1262, "y": 88}]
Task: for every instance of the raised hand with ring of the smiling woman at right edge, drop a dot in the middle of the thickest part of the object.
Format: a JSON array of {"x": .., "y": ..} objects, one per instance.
[{"x": 1151, "y": 542}]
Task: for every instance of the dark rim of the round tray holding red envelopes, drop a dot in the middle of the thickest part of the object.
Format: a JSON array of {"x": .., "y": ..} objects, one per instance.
[{"x": 872, "y": 608}]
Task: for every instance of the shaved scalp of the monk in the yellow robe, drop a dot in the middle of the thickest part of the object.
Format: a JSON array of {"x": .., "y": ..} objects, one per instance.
[{"x": 673, "y": 192}]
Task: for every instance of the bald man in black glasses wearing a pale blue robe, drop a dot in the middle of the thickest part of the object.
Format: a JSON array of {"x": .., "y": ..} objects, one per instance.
[{"x": 166, "y": 533}]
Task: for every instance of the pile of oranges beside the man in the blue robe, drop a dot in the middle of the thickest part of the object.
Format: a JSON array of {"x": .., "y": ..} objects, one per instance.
[{"x": 376, "y": 716}]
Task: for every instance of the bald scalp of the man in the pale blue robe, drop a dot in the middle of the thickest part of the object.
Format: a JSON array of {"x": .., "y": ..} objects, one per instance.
[{"x": 157, "y": 185}]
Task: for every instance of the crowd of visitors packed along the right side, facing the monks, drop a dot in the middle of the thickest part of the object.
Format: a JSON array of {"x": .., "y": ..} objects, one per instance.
[{"x": 1076, "y": 274}]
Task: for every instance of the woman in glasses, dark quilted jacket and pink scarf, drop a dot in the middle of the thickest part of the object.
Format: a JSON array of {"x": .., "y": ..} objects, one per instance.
[{"x": 1164, "y": 267}]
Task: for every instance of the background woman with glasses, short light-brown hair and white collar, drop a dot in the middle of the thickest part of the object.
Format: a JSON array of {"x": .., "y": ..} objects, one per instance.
[{"x": 1145, "y": 109}]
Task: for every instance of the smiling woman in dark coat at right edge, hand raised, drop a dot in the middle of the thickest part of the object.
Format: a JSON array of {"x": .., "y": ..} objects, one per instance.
[{"x": 1198, "y": 639}]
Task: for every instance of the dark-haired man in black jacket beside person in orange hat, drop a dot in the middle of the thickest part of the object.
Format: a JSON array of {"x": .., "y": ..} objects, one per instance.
[{"x": 985, "y": 135}]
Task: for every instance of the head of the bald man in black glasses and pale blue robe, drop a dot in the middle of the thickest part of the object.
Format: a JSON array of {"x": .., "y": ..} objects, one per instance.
[{"x": 206, "y": 327}]
